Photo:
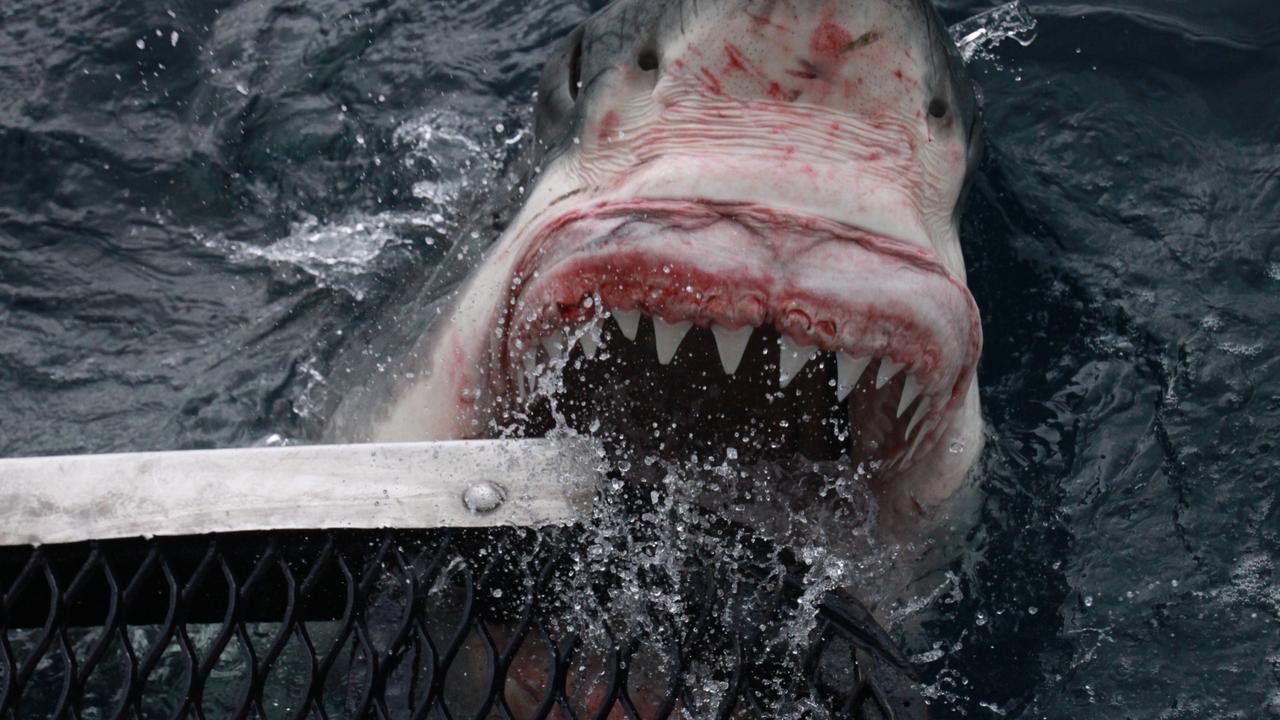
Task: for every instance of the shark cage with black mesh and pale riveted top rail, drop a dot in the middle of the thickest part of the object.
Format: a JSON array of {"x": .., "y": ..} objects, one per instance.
[{"x": 404, "y": 581}]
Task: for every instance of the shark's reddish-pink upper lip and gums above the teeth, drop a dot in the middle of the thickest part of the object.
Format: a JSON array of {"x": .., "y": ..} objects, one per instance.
[{"x": 584, "y": 256}]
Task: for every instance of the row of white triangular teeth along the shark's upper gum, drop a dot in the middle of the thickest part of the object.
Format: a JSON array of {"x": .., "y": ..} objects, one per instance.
[{"x": 732, "y": 347}]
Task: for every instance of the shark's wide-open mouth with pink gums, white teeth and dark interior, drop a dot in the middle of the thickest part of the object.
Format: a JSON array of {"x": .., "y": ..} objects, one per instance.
[{"x": 698, "y": 327}]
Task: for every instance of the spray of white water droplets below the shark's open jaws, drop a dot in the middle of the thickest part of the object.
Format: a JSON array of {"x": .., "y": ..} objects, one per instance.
[{"x": 662, "y": 523}]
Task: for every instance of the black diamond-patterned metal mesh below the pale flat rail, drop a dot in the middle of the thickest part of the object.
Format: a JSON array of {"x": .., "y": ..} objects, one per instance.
[{"x": 409, "y": 625}]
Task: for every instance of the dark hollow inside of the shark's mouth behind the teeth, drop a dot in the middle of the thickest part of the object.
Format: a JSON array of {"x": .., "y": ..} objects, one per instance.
[{"x": 627, "y": 398}]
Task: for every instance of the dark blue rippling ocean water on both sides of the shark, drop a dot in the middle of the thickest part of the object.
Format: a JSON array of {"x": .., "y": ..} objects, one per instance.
[{"x": 217, "y": 218}]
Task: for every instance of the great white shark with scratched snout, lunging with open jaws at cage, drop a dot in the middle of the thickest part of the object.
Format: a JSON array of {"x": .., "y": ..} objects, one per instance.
[{"x": 744, "y": 233}]
